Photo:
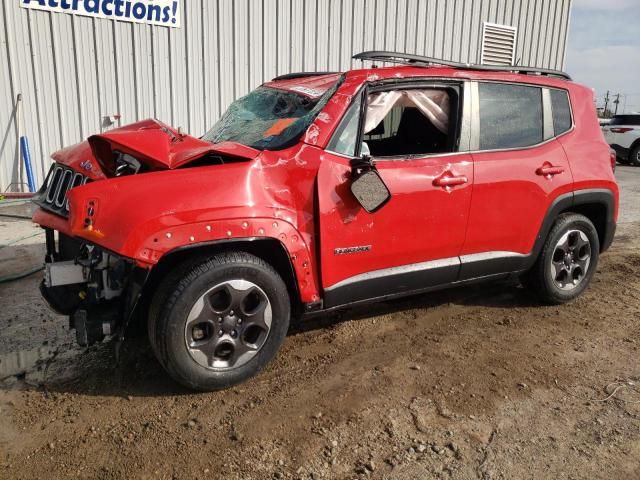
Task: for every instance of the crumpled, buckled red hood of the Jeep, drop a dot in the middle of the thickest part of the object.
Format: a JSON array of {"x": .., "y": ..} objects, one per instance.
[{"x": 156, "y": 145}]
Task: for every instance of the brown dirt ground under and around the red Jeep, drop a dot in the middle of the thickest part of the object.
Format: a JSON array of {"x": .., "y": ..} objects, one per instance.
[{"x": 469, "y": 383}]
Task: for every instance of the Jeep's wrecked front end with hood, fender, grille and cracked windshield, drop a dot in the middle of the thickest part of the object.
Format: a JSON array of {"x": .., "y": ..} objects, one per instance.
[{"x": 123, "y": 202}]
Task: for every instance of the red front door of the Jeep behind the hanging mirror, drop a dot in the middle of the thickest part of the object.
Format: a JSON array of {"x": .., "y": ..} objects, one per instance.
[{"x": 411, "y": 243}]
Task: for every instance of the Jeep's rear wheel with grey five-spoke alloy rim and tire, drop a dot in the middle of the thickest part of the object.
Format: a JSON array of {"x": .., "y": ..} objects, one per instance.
[{"x": 567, "y": 262}]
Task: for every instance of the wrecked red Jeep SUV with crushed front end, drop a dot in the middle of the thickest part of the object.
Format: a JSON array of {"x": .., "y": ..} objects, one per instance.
[{"x": 318, "y": 191}]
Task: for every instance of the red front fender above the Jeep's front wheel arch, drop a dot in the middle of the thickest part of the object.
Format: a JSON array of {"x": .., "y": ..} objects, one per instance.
[{"x": 144, "y": 217}]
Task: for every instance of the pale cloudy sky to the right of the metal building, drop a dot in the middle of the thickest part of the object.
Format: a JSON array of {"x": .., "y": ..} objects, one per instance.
[{"x": 604, "y": 48}]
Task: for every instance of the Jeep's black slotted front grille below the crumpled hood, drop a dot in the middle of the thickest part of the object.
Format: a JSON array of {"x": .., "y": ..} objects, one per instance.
[{"x": 52, "y": 195}]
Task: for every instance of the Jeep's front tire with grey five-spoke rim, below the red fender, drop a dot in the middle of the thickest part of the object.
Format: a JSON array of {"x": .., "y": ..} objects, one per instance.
[{"x": 221, "y": 322}]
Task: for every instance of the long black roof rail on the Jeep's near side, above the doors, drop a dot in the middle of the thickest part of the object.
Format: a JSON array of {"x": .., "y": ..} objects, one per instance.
[{"x": 419, "y": 60}]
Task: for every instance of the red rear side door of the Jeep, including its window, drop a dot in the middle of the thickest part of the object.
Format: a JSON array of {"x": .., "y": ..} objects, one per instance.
[{"x": 519, "y": 168}]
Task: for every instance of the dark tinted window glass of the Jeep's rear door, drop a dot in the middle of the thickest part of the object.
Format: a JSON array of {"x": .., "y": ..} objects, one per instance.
[{"x": 510, "y": 116}]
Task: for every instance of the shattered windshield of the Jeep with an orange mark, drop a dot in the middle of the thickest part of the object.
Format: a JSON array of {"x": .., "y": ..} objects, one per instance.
[{"x": 268, "y": 118}]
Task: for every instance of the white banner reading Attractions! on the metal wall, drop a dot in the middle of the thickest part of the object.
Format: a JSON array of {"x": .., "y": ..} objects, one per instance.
[{"x": 154, "y": 12}]
